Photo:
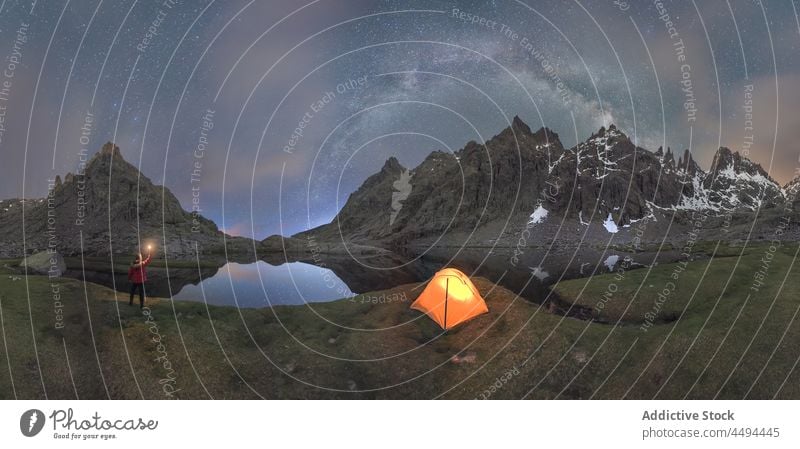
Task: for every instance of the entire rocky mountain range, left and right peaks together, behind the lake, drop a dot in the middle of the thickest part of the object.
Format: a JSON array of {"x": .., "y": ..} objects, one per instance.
[{"x": 480, "y": 195}]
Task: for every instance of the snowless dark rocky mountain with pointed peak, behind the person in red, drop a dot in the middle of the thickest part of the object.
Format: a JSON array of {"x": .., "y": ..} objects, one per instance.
[{"x": 109, "y": 207}]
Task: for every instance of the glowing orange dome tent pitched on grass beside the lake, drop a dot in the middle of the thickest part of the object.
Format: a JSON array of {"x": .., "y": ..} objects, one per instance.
[{"x": 450, "y": 299}]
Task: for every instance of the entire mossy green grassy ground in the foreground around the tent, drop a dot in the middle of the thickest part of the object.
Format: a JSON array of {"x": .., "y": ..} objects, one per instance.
[{"x": 708, "y": 340}]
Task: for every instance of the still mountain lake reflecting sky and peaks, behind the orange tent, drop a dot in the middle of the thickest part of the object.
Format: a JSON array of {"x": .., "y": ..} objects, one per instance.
[{"x": 280, "y": 279}]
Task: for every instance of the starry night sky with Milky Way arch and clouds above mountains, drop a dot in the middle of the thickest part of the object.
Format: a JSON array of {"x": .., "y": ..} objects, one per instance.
[{"x": 385, "y": 78}]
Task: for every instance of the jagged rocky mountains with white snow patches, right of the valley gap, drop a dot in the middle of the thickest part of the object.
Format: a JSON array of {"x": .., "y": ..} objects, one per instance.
[{"x": 520, "y": 176}]
